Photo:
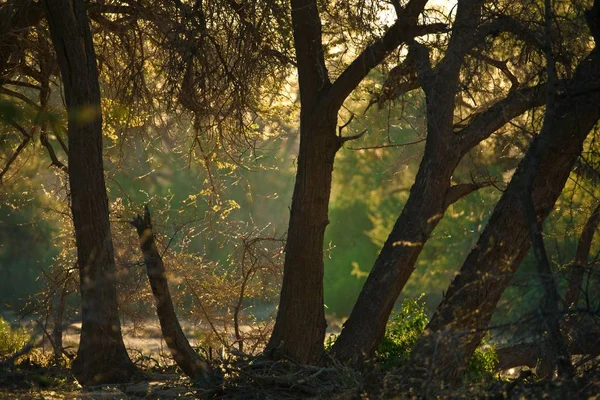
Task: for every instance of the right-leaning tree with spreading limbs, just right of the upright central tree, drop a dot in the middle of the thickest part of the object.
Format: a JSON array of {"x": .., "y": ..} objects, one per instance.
[{"x": 473, "y": 36}]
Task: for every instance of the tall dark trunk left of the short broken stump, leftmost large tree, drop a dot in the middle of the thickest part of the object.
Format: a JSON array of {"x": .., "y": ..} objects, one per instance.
[{"x": 101, "y": 356}]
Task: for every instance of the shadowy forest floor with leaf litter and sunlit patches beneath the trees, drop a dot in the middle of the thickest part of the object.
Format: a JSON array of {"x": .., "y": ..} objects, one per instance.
[{"x": 259, "y": 378}]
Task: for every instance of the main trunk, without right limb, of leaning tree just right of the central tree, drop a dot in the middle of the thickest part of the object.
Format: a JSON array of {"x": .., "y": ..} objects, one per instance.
[{"x": 429, "y": 198}]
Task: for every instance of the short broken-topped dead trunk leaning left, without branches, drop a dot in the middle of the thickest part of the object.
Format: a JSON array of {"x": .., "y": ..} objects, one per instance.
[{"x": 184, "y": 355}]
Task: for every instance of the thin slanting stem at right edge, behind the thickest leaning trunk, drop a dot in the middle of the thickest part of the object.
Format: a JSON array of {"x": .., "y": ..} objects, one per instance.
[{"x": 581, "y": 258}]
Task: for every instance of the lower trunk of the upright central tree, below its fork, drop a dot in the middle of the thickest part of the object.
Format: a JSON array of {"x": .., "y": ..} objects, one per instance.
[{"x": 300, "y": 326}]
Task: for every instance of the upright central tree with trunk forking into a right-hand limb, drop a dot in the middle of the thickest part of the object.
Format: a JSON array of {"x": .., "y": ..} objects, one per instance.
[{"x": 299, "y": 329}]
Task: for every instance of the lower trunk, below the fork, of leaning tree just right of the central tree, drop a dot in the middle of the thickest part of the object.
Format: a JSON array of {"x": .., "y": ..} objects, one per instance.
[{"x": 424, "y": 209}]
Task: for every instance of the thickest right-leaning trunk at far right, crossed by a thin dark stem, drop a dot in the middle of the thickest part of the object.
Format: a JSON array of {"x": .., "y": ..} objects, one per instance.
[{"x": 461, "y": 319}]
